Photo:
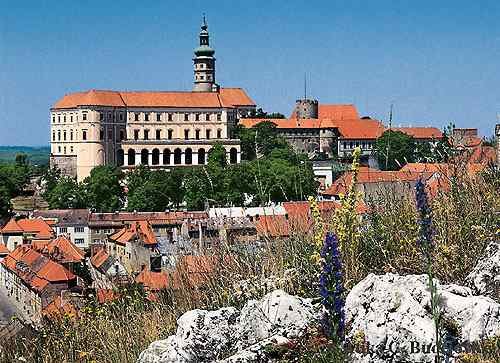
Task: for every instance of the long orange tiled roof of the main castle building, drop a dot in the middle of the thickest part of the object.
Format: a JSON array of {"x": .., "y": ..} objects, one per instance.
[{"x": 226, "y": 98}]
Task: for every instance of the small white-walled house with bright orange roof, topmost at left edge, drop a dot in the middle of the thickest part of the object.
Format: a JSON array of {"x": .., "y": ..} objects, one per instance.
[{"x": 25, "y": 230}]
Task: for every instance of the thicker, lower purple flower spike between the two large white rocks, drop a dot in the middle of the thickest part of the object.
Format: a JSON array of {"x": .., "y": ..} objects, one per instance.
[{"x": 331, "y": 289}]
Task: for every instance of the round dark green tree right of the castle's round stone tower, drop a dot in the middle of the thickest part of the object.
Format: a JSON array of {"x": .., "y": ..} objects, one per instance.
[{"x": 394, "y": 149}]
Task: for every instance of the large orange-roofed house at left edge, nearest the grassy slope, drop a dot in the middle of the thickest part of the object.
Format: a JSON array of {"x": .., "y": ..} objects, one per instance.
[{"x": 34, "y": 280}]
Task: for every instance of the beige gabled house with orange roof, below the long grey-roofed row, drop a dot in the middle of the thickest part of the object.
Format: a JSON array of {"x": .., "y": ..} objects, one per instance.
[{"x": 134, "y": 246}]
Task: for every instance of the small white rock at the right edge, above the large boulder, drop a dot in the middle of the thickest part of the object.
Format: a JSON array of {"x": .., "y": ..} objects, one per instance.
[{"x": 485, "y": 277}]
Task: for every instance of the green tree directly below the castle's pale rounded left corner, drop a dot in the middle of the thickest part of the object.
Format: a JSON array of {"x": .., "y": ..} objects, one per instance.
[{"x": 104, "y": 190}]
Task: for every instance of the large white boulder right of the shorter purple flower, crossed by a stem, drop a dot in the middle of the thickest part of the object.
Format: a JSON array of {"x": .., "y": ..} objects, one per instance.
[{"x": 389, "y": 318}]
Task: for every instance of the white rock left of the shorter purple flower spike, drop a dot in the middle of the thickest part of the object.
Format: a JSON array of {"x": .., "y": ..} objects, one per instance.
[{"x": 210, "y": 336}]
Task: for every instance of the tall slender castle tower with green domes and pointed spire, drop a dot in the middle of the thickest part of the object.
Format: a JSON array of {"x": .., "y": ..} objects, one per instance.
[{"x": 204, "y": 63}]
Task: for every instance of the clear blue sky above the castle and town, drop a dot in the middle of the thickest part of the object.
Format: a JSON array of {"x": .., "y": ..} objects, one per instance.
[{"x": 437, "y": 61}]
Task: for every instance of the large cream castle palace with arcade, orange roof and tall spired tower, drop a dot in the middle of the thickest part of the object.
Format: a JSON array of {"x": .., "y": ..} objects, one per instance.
[{"x": 161, "y": 129}]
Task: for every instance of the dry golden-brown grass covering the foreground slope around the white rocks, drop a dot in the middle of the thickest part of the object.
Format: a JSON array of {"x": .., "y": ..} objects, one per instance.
[{"x": 465, "y": 219}]
